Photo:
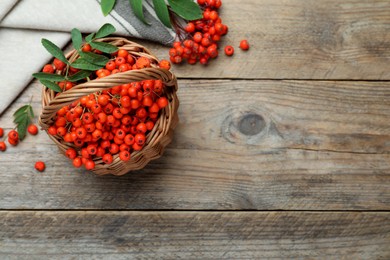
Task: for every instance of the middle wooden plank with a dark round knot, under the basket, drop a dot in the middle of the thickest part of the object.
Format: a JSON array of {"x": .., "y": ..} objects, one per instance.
[{"x": 292, "y": 145}]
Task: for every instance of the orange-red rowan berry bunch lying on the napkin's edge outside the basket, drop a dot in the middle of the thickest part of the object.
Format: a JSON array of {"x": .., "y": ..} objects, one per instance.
[{"x": 204, "y": 34}]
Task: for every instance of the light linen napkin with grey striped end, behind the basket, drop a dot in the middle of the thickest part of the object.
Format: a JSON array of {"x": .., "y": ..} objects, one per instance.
[{"x": 24, "y": 23}]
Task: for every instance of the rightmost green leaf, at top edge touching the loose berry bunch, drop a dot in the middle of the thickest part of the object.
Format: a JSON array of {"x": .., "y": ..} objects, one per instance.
[{"x": 187, "y": 9}]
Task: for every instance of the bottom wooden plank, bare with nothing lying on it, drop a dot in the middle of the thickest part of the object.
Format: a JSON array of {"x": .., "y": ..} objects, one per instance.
[{"x": 194, "y": 235}]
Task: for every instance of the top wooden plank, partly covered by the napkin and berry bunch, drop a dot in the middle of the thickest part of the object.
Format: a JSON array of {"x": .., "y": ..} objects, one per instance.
[{"x": 296, "y": 39}]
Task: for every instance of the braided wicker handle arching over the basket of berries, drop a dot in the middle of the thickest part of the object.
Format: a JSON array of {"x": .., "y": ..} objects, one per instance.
[{"x": 51, "y": 104}]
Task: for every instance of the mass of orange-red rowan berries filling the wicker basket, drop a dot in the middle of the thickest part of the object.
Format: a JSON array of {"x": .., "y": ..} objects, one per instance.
[{"x": 112, "y": 122}]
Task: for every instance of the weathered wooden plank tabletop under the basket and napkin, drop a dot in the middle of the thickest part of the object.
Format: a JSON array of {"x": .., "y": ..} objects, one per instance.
[{"x": 282, "y": 151}]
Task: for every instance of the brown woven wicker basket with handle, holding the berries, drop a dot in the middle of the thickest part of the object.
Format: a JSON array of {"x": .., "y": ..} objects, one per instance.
[{"x": 159, "y": 136}]
